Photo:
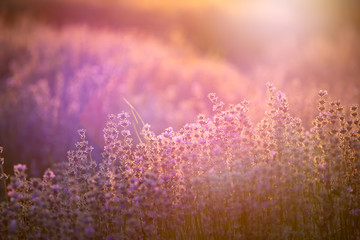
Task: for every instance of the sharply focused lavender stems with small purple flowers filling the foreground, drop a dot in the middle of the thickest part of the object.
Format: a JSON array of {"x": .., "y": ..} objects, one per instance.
[{"x": 221, "y": 177}]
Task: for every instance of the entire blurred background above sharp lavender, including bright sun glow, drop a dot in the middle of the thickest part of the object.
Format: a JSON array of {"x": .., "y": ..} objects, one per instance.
[{"x": 66, "y": 64}]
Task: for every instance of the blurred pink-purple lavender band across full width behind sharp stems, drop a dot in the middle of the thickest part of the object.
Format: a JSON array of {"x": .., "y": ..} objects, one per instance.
[{"x": 56, "y": 80}]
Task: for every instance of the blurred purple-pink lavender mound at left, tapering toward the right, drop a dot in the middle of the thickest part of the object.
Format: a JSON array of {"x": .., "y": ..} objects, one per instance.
[{"x": 53, "y": 82}]
